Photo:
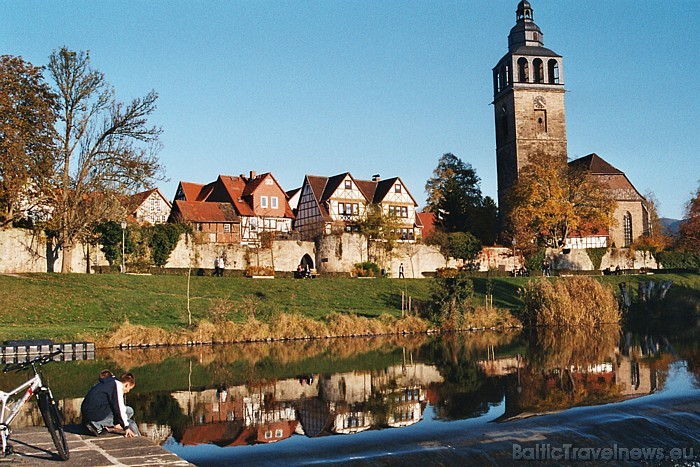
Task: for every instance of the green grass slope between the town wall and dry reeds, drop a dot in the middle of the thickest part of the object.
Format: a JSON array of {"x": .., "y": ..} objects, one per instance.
[{"x": 78, "y": 306}]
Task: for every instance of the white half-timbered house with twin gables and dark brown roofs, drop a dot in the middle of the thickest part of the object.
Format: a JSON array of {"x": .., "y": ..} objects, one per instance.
[{"x": 338, "y": 204}]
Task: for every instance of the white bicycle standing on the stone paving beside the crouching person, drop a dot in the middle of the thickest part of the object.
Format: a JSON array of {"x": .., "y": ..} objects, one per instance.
[{"x": 47, "y": 405}]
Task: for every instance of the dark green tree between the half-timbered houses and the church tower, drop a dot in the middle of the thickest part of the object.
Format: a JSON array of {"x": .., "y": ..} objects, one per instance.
[{"x": 454, "y": 195}]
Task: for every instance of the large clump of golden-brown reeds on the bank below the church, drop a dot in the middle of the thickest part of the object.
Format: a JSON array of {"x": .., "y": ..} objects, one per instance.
[{"x": 569, "y": 301}]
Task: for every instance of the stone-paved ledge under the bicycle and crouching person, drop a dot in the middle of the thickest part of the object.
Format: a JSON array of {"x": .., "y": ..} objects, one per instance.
[{"x": 33, "y": 446}]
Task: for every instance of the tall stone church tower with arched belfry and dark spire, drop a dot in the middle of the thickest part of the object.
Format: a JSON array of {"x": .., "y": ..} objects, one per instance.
[{"x": 528, "y": 88}]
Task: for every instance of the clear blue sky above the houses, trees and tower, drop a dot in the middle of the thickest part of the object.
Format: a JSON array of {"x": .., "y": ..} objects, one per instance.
[{"x": 370, "y": 86}]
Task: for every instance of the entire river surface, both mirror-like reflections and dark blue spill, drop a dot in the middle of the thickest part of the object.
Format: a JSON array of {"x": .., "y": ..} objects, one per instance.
[{"x": 440, "y": 398}]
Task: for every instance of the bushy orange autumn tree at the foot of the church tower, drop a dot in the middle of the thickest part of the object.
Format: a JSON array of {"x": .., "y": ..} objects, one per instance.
[{"x": 551, "y": 199}]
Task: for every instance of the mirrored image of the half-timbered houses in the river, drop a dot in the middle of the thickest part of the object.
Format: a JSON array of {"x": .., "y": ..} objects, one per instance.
[{"x": 342, "y": 403}]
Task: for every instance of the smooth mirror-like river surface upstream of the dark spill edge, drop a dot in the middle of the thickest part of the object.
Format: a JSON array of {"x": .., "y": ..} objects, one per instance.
[{"x": 260, "y": 394}]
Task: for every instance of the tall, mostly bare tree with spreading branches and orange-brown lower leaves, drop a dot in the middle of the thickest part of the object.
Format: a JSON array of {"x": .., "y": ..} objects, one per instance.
[{"x": 106, "y": 149}]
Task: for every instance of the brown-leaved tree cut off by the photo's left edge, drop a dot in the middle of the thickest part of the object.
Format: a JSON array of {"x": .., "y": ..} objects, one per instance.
[{"x": 27, "y": 151}]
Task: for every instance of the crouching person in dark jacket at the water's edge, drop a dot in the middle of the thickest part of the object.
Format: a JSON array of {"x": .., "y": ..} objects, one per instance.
[{"x": 103, "y": 408}]
